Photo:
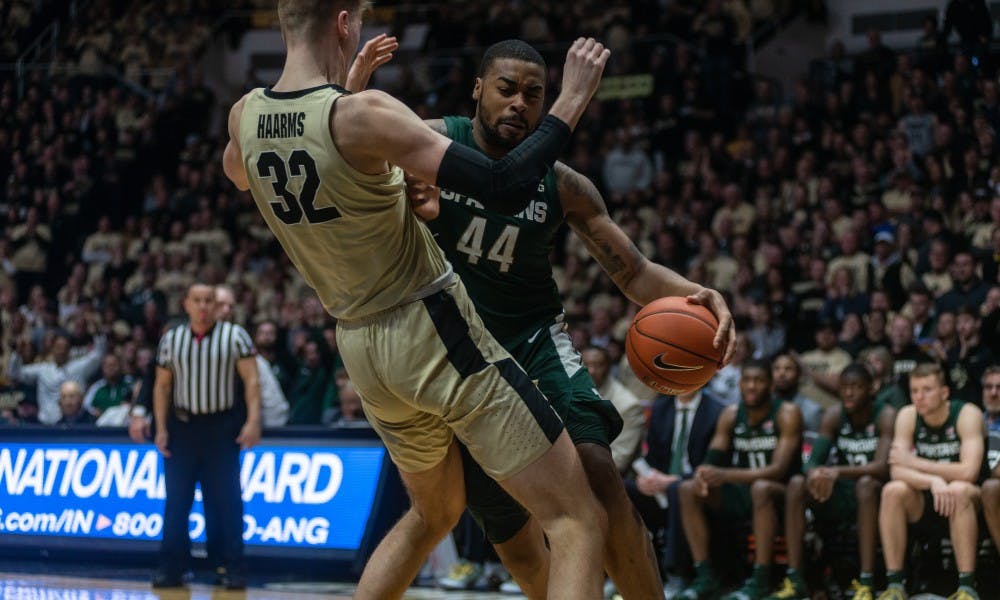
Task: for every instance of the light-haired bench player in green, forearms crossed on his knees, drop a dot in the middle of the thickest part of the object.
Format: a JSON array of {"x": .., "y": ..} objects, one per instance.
[{"x": 936, "y": 462}]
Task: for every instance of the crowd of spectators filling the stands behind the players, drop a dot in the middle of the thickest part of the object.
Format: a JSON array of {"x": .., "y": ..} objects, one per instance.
[{"x": 854, "y": 213}]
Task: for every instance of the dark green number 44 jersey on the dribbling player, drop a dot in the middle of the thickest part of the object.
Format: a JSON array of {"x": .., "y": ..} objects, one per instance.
[{"x": 502, "y": 260}]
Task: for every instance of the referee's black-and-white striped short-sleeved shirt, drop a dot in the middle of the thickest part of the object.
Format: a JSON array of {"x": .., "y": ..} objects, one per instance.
[{"x": 204, "y": 368}]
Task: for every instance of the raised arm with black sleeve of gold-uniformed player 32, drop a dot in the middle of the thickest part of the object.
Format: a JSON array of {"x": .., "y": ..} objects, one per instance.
[{"x": 372, "y": 128}]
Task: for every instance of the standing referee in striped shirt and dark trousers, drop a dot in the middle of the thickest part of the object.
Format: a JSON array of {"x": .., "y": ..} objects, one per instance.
[{"x": 200, "y": 436}]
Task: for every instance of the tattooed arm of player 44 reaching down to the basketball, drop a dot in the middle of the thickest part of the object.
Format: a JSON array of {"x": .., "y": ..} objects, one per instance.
[{"x": 640, "y": 279}]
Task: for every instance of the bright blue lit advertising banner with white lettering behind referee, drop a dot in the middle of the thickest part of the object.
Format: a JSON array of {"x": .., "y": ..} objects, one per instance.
[{"x": 296, "y": 496}]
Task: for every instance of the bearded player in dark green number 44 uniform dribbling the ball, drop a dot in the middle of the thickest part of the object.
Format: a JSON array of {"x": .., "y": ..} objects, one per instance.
[{"x": 504, "y": 262}]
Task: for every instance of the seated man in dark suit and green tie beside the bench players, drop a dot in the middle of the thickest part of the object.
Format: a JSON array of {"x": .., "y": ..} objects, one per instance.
[{"x": 667, "y": 432}]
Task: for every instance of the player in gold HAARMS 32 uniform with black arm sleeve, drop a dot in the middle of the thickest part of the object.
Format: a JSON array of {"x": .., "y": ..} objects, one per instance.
[{"x": 323, "y": 167}]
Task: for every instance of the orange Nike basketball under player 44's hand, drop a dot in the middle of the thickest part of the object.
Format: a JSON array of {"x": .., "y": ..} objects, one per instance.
[{"x": 669, "y": 345}]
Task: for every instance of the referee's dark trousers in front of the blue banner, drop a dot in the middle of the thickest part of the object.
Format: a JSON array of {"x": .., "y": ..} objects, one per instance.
[{"x": 203, "y": 449}]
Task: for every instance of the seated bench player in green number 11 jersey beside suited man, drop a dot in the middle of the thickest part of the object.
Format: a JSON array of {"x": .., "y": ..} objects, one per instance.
[{"x": 760, "y": 440}]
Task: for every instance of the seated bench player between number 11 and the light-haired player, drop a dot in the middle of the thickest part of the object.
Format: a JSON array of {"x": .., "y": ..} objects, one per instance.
[{"x": 861, "y": 431}]
